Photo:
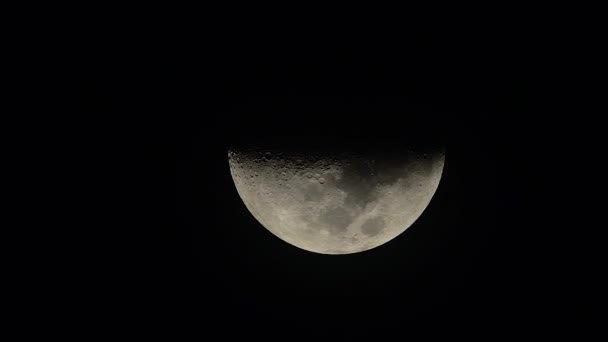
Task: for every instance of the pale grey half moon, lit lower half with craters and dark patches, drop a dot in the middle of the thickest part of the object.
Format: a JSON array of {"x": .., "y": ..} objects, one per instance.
[{"x": 335, "y": 203}]
